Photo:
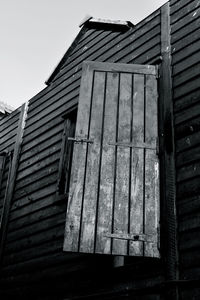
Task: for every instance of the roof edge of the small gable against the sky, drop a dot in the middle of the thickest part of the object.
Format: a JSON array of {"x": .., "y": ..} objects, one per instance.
[{"x": 89, "y": 22}]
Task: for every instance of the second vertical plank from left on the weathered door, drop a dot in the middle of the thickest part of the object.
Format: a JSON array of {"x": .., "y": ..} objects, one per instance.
[{"x": 91, "y": 192}]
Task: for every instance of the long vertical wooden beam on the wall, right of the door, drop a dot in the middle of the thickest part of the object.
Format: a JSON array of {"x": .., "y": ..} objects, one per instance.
[{"x": 168, "y": 177}]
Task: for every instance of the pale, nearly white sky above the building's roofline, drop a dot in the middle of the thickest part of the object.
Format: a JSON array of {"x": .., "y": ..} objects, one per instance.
[{"x": 35, "y": 34}]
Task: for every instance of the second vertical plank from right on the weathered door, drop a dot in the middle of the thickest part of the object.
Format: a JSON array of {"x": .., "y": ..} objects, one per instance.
[{"x": 137, "y": 172}]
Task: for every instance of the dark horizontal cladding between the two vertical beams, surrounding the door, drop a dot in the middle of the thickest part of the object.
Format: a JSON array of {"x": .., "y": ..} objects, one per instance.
[{"x": 33, "y": 250}]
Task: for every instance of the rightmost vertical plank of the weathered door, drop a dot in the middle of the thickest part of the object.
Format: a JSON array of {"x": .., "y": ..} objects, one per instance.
[{"x": 151, "y": 198}]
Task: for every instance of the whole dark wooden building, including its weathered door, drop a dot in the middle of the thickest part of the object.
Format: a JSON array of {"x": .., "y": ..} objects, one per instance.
[{"x": 113, "y": 140}]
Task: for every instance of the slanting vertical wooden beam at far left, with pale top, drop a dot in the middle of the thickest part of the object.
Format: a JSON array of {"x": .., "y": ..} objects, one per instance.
[{"x": 11, "y": 180}]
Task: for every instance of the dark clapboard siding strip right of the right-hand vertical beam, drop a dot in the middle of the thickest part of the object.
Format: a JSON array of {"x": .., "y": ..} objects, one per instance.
[{"x": 185, "y": 21}]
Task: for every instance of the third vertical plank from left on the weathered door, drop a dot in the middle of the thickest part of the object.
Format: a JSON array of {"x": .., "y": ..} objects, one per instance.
[{"x": 104, "y": 222}]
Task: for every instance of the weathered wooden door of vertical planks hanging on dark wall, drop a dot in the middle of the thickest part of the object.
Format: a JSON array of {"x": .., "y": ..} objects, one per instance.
[{"x": 113, "y": 205}]
